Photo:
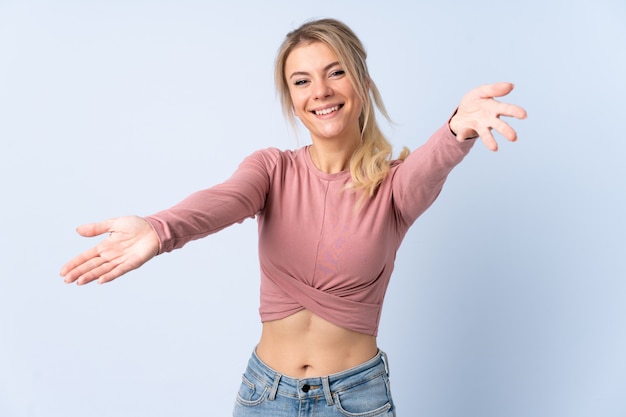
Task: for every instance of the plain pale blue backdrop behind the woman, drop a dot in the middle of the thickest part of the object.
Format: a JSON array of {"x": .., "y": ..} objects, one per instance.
[{"x": 508, "y": 295}]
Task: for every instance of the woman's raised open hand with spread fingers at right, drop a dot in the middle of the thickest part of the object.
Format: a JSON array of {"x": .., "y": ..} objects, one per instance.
[{"x": 479, "y": 112}]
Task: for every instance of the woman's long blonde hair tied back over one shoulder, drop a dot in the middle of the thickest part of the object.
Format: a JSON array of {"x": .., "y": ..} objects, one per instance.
[{"x": 369, "y": 164}]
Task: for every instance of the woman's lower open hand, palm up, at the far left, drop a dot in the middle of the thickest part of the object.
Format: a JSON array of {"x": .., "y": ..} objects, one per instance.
[{"x": 131, "y": 243}]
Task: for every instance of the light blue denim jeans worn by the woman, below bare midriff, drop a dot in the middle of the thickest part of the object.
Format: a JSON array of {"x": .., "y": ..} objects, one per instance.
[{"x": 361, "y": 391}]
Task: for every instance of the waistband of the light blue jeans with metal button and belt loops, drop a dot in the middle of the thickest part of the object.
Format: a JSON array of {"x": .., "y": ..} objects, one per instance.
[{"x": 316, "y": 386}]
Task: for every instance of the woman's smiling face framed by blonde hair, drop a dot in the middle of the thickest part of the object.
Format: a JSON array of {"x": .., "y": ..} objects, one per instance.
[{"x": 322, "y": 95}]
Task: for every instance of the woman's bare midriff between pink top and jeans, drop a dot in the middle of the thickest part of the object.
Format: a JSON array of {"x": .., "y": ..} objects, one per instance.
[{"x": 304, "y": 345}]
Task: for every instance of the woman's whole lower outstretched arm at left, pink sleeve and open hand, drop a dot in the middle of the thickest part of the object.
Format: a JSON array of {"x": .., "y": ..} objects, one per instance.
[{"x": 133, "y": 240}]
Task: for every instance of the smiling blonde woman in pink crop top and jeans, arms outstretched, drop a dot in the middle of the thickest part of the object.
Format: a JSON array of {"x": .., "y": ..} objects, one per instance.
[{"x": 331, "y": 217}]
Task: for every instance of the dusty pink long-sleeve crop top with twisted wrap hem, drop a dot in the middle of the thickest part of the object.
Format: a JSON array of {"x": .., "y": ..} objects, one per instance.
[{"x": 318, "y": 249}]
